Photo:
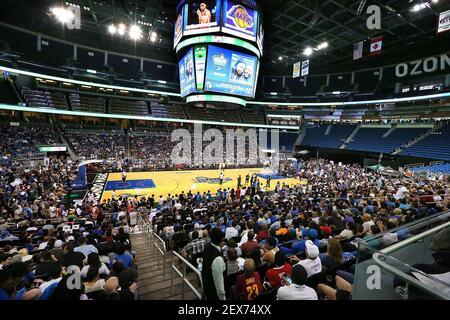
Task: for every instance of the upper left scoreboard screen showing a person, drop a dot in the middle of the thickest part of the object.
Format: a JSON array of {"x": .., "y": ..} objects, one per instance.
[{"x": 202, "y": 17}]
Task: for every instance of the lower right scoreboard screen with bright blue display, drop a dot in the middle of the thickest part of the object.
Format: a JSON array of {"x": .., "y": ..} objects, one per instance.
[{"x": 231, "y": 72}]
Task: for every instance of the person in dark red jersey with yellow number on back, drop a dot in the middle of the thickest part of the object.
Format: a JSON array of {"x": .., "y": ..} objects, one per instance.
[{"x": 248, "y": 284}]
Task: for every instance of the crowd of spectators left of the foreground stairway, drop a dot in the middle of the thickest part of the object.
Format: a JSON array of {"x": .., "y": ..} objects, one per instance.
[{"x": 55, "y": 249}]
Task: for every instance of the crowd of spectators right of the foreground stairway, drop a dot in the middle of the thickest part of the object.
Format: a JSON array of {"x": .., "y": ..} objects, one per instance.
[{"x": 287, "y": 244}]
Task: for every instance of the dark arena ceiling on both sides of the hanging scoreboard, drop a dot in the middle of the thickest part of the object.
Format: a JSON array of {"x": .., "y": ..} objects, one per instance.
[{"x": 290, "y": 27}]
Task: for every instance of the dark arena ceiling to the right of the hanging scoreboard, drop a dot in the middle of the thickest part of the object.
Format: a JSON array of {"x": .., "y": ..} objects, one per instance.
[{"x": 291, "y": 26}]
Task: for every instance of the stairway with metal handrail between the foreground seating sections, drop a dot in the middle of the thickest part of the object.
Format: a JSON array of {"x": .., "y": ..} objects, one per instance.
[{"x": 153, "y": 285}]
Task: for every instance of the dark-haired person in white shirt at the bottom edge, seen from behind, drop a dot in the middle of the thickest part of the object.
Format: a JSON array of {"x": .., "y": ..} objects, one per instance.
[{"x": 297, "y": 290}]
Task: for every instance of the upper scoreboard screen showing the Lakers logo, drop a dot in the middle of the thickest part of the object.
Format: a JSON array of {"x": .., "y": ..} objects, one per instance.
[{"x": 240, "y": 20}]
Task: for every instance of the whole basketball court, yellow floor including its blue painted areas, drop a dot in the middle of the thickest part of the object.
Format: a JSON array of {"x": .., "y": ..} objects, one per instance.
[{"x": 174, "y": 182}]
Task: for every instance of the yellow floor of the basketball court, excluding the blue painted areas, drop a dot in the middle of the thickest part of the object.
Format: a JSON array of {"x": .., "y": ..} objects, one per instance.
[{"x": 174, "y": 182}]
